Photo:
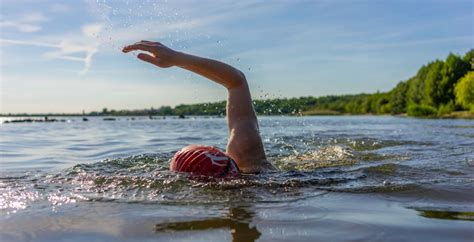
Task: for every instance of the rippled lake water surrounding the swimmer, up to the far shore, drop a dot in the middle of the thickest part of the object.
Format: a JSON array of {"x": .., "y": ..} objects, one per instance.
[{"x": 341, "y": 179}]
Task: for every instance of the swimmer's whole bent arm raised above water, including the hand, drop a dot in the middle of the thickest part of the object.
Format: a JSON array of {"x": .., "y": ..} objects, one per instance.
[{"x": 245, "y": 144}]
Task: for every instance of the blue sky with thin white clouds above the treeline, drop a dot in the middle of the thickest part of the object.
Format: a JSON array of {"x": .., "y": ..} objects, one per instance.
[{"x": 64, "y": 56}]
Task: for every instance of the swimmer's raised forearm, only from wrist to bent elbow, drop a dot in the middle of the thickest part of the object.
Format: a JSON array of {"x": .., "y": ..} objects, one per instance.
[{"x": 217, "y": 71}]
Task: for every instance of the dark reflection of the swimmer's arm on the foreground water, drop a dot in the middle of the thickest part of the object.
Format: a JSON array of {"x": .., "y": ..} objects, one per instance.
[{"x": 238, "y": 221}]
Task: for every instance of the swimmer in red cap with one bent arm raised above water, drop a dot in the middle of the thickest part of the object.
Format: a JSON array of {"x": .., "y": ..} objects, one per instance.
[{"x": 245, "y": 152}]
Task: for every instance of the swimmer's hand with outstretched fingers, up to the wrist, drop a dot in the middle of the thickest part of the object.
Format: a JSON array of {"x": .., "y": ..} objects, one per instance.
[{"x": 160, "y": 55}]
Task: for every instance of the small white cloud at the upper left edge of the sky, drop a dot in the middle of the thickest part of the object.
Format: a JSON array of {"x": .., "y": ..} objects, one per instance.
[{"x": 26, "y": 23}]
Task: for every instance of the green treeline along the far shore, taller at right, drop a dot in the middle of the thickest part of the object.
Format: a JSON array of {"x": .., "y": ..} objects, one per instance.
[{"x": 438, "y": 88}]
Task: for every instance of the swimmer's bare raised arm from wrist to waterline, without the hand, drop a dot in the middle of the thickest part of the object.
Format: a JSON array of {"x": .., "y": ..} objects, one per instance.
[{"x": 244, "y": 145}]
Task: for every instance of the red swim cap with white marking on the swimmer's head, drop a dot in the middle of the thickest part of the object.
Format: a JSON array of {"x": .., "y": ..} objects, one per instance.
[{"x": 204, "y": 160}]
